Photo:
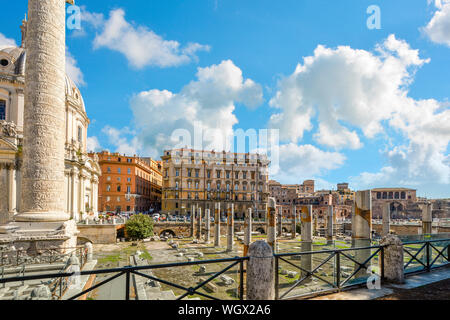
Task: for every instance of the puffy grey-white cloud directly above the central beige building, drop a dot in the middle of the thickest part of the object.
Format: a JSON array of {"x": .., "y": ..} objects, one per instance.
[{"x": 207, "y": 103}]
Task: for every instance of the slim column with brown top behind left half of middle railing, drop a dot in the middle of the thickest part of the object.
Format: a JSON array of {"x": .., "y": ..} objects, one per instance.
[{"x": 306, "y": 245}]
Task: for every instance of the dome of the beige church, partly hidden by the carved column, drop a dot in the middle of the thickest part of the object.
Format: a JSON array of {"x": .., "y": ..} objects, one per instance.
[{"x": 12, "y": 67}]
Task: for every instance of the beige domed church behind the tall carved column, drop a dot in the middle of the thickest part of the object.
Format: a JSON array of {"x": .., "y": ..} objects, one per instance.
[{"x": 81, "y": 173}]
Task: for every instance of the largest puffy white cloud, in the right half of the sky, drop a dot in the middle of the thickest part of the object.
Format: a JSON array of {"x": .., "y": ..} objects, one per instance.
[{"x": 346, "y": 90}]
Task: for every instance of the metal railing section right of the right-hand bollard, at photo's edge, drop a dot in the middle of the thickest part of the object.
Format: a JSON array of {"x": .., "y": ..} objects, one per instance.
[{"x": 420, "y": 255}]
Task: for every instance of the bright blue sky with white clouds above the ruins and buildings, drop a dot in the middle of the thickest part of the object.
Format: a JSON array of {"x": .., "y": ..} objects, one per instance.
[{"x": 376, "y": 117}]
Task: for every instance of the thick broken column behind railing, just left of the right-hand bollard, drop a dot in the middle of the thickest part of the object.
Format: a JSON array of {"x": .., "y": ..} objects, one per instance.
[{"x": 362, "y": 237}]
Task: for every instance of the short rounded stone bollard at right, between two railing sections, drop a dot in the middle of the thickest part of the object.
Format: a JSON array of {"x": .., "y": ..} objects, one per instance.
[{"x": 393, "y": 259}]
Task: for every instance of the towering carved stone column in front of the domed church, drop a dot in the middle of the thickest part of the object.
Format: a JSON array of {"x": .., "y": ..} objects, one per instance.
[{"x": 44, "y": 114}]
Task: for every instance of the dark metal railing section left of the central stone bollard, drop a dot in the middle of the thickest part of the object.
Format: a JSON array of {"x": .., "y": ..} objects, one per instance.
[{"x": 136, "y": 270}]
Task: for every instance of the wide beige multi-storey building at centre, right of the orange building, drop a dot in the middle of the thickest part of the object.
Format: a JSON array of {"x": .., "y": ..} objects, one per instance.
[{"x": 198, "y": 177}]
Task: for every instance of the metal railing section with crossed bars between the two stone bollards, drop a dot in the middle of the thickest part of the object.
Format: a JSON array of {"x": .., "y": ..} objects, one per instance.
[{"x": 339, "y": 280}]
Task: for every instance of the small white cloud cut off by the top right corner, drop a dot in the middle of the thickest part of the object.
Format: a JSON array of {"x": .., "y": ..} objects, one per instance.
[{"x": 438, "y": 29}]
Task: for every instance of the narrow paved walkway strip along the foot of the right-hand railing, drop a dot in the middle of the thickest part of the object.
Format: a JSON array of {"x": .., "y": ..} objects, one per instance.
[{"x": 413, "y": 281}]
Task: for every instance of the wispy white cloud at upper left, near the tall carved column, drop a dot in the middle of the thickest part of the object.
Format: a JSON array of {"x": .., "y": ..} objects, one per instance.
[{"x": 141, "y": 46}]
